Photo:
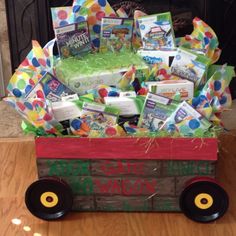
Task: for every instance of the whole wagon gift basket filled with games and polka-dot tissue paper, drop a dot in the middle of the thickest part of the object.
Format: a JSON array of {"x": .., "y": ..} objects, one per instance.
[{"x": 126, "y": 117}]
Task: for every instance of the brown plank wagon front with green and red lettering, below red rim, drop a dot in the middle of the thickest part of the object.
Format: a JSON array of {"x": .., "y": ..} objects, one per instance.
[{"x": 125, "y": 185}]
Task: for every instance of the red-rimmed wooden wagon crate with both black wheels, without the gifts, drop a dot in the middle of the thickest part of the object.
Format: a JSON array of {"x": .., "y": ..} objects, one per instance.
[{"x": 126, "y": 174}]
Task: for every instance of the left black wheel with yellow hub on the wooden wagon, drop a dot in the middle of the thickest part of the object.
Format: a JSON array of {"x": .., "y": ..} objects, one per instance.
[{"x": 49, "y": 198}]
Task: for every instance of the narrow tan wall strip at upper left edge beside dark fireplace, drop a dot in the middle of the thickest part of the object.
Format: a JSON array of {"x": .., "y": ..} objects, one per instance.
[{"x": 4, "y": 44}]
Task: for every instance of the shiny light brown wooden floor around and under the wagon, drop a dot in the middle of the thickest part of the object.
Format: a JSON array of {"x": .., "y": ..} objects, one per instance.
[{"x": 18, "y": 171}]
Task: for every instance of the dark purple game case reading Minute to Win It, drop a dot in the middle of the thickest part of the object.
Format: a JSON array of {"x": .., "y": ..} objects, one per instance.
[{"x": 73, "y": 40}]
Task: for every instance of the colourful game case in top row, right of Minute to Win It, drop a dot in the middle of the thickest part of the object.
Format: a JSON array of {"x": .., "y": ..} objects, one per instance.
[{"x": 116, "y": 34}]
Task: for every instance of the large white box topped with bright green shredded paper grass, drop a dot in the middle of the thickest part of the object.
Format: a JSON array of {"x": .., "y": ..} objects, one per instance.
[{"x": 96, "y": 69}]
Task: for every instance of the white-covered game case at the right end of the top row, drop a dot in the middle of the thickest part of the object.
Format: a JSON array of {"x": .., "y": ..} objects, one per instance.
[{"x": 157, "y": 31}]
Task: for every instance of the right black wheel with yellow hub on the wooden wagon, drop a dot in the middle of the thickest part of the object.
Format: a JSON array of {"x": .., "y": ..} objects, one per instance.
[{"x": 204, "y": 200}]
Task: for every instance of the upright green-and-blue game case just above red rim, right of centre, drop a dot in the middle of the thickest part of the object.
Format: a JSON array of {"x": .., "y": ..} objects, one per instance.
[{"x": 155, "y": 111}]
